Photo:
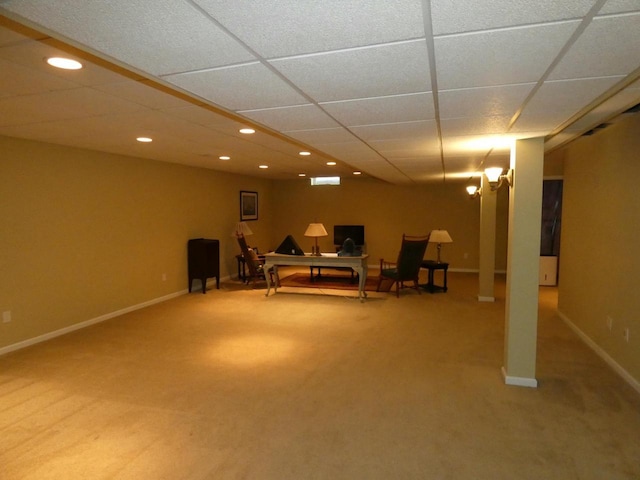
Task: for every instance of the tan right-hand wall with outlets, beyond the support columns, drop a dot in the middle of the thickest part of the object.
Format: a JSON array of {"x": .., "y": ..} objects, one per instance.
[{"x": 599, "y": 258}]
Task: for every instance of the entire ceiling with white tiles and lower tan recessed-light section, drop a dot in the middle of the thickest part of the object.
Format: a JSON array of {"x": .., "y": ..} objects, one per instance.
[{"x": 406, "y": 91}]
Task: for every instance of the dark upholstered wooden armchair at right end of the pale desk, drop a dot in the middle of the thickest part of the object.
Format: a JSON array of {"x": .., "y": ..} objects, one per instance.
[{"x": 407, "y": 267}]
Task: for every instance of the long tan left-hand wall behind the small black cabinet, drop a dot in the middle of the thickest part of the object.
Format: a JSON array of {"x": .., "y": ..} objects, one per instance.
[{"x": 85, "y": 234}]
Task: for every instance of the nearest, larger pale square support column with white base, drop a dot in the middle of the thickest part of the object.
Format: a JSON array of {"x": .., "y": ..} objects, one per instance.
[{"x": 523, "y": 257}]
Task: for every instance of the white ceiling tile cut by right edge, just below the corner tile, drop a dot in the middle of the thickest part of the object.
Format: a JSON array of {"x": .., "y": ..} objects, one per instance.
[{"x": 609, "y": 46}]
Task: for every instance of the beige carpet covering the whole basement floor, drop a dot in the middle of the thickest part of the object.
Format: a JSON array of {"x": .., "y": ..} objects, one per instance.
[{"x": 235, "y": 385}]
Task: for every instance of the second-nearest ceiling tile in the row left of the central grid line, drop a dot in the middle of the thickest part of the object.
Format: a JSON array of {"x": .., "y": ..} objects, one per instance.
[{"x": 360, "y": 73}]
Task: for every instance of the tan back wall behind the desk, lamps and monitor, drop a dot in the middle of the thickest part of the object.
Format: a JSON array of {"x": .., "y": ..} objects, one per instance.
[{"x": 386, "y": 211}]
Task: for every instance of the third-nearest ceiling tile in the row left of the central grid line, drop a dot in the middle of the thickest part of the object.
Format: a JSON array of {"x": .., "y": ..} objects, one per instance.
[{"x": 369, "y": 111}]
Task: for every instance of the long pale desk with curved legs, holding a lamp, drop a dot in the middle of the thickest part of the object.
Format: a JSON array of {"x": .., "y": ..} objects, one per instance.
[{"x": 358, "y": 264}]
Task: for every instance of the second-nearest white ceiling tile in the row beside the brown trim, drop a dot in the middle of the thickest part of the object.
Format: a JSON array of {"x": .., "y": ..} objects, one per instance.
[{"x": 254, "y": 87}]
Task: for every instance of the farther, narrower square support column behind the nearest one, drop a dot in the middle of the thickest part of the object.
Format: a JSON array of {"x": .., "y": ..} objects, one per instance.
[{"x": 487, "y": 263}]
